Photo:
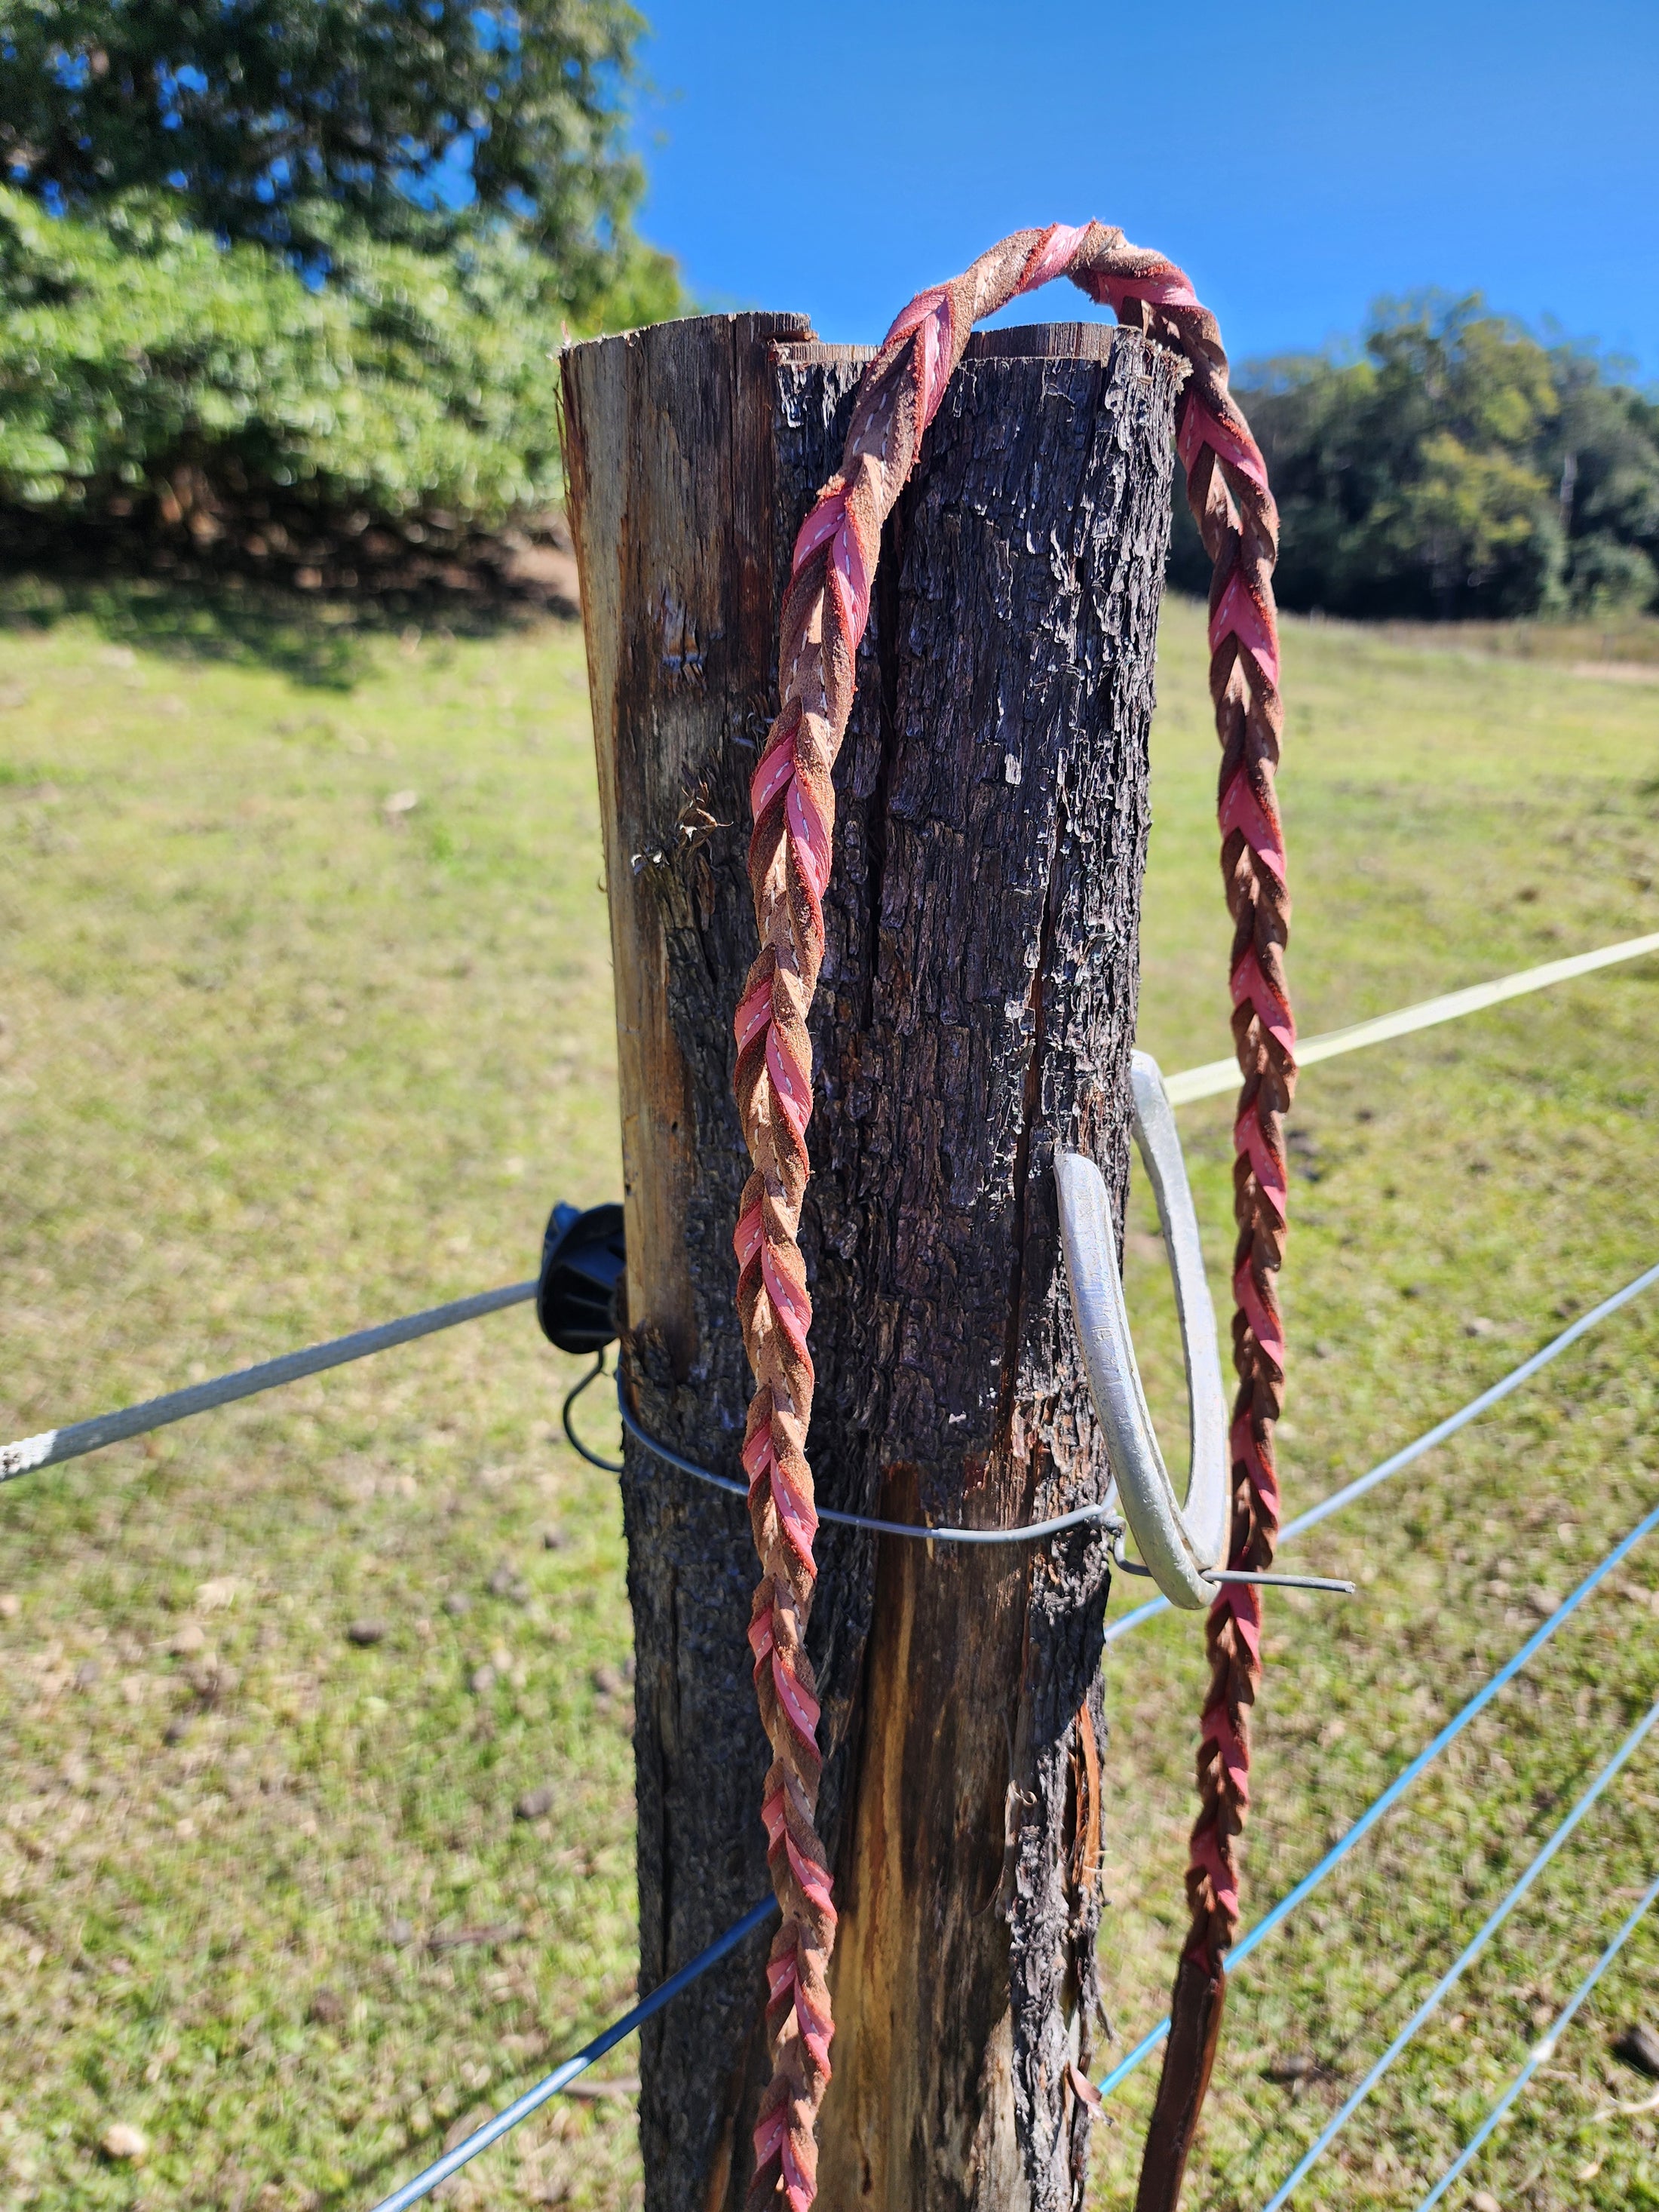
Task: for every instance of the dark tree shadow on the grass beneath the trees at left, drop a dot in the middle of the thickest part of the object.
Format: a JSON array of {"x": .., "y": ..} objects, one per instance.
[{"x": 311, "y": 638}]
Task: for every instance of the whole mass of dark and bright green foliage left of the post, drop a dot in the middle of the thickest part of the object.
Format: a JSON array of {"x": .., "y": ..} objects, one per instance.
[{"x": 233, "y": 253}]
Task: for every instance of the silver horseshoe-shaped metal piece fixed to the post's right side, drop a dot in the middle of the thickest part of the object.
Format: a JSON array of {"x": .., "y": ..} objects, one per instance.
[{"x": 1187, "y": 1545}]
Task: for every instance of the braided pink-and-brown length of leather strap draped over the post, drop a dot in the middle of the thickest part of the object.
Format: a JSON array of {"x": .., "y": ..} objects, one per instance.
[{"x": 824, "y": 618}]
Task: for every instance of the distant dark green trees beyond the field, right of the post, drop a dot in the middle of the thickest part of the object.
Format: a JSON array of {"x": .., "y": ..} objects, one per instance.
[{"x": 1454, "y": 468}]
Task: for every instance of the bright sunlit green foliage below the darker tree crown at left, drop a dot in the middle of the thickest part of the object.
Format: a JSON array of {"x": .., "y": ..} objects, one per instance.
[{"x": 138, "y": 348}]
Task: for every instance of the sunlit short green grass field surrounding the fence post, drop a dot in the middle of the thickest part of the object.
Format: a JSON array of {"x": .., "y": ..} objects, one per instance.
[{"x": 306, "y": 1023}]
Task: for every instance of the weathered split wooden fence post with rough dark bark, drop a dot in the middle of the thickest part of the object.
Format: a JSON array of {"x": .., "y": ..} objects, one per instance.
[{"x": 977, "y": 1008}]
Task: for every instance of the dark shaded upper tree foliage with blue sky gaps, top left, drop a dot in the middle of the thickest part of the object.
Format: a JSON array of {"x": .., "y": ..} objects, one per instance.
[{"x": 260, "y": 114}]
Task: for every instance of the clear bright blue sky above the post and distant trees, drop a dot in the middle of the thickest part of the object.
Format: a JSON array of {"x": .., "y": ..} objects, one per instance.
[{"x": 1295, "y": 158}]
